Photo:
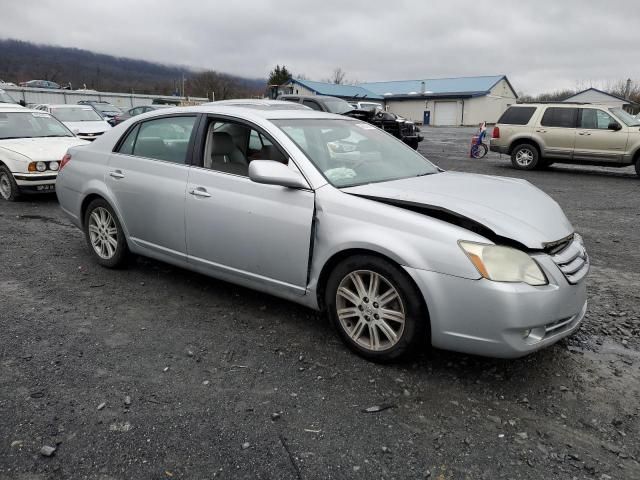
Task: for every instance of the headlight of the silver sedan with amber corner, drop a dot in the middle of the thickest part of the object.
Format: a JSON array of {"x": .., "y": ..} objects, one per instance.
[{"x": 503, "y": 264}]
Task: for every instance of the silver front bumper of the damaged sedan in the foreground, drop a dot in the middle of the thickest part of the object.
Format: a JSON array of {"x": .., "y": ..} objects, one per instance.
[{"x": 489, "y": 318}]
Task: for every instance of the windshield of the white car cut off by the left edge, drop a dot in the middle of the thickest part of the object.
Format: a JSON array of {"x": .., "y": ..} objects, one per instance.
[{"x": 30, "y": 125}]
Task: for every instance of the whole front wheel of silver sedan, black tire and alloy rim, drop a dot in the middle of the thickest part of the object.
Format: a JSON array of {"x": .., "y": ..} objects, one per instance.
[{"x": 375, "y": 307}]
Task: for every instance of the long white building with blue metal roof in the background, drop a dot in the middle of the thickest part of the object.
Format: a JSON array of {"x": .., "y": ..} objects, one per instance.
[{"x": 441, "y": 101}]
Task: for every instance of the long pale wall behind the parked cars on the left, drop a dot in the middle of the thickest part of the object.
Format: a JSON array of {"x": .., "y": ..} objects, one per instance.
[{"x": 124, "y": 100}]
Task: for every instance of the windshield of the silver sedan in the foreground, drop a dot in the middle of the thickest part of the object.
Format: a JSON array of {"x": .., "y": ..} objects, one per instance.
[{"x": 350, "y": 153}]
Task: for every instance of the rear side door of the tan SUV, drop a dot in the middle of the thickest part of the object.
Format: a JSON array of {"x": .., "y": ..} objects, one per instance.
[{"x": 557, "y": 130}]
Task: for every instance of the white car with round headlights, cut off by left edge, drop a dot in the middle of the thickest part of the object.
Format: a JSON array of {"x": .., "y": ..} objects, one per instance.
[{"x": 32, "y": 143}]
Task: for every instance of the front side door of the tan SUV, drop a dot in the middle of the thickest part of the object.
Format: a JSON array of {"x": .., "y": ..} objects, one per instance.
[{"x": 595, "y": 140}]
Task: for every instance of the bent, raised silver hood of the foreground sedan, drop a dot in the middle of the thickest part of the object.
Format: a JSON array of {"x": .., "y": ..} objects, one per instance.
[{"x": 511, "y": 208}]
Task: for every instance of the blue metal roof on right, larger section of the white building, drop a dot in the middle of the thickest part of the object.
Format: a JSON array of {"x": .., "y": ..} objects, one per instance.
[{"x": 471, "y": 86}]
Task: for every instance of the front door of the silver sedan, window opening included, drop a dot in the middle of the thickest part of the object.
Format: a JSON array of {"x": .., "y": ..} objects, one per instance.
[{"x": 253, "y": 234}]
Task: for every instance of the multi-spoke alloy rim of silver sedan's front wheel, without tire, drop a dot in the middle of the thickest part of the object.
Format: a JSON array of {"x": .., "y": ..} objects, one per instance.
[{"x": 370, "y": 310}]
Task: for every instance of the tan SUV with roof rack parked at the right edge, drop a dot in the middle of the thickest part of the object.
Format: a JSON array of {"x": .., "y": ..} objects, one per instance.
[{"x": 538, "y": 135}]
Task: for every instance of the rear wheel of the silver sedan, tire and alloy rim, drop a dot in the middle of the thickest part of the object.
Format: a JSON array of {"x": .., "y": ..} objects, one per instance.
[{"x": 104, "y": 234}]
